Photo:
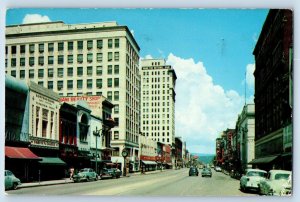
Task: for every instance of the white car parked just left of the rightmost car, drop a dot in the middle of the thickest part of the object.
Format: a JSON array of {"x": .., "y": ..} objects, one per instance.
[{"x": 251, "y": 179}]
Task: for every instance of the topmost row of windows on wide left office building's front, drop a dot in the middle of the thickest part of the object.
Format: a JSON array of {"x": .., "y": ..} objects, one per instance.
[{"x": 60, "y": 46}]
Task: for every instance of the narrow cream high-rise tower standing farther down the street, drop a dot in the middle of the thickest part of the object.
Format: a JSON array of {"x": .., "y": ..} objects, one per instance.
[{"x": 158, "y": 100}]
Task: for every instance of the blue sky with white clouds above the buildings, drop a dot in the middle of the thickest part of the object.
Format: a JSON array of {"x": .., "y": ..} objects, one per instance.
[{"x": 210, "y": 50}]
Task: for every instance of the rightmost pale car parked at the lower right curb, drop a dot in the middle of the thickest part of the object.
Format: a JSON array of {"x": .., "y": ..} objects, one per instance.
[{"x": 274, "y": 183}]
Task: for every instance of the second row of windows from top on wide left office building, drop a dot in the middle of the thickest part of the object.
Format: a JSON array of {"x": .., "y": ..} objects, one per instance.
[{"x": 111, "y": 56}]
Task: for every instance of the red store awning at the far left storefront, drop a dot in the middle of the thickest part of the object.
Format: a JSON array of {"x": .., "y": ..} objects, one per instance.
[{"x": 20, "y": 153}]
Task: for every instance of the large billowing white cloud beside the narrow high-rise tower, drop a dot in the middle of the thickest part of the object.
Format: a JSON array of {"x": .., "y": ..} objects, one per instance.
[{"x": 203, "y": 109}]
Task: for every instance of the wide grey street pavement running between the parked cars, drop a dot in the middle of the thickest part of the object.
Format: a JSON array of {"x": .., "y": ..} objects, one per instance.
[{"x": 167, "y": 183}]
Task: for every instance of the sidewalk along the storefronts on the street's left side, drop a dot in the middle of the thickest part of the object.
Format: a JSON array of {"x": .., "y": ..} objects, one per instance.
[{"x": 67, "y": 180}]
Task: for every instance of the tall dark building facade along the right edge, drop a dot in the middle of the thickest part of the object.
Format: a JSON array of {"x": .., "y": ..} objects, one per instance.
[{"x": 273, "y": 109}]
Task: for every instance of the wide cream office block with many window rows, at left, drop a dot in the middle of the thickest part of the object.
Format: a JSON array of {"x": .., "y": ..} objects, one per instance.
[{"x": 83, "y": 59}]
